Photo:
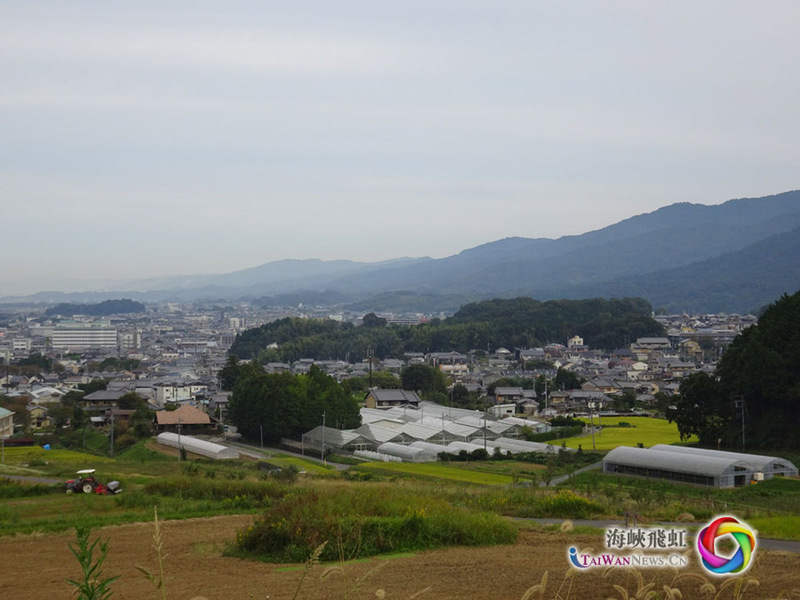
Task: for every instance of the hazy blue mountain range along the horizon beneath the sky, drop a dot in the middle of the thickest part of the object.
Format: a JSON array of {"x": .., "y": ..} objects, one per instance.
[{"x": 733, "y": 257}]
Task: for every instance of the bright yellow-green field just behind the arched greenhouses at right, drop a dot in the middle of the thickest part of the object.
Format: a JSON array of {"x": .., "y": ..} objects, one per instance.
[{"x": 645, "y": 430}]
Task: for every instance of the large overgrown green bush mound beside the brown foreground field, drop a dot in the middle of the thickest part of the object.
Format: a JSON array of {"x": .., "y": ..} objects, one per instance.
[{"x": 379, "y": 520}]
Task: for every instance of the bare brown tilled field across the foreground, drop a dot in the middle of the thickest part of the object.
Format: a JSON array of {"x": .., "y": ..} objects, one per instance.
[{"x": 34, "y": 567}]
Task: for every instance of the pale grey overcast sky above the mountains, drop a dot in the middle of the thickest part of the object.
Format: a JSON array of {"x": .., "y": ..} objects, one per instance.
[{"x": 147, "y": 138}]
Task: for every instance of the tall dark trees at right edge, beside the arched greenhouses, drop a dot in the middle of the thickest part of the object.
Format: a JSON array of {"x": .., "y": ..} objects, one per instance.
[{"x": 760, "y": 374}]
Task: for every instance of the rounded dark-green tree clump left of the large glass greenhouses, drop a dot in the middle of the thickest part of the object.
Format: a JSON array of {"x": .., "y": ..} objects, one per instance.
[{"x": 285, "y": 405}]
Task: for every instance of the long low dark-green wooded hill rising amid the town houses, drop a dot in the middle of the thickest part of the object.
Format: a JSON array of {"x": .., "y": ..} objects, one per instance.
[{"x": 514, "y": 323}]
